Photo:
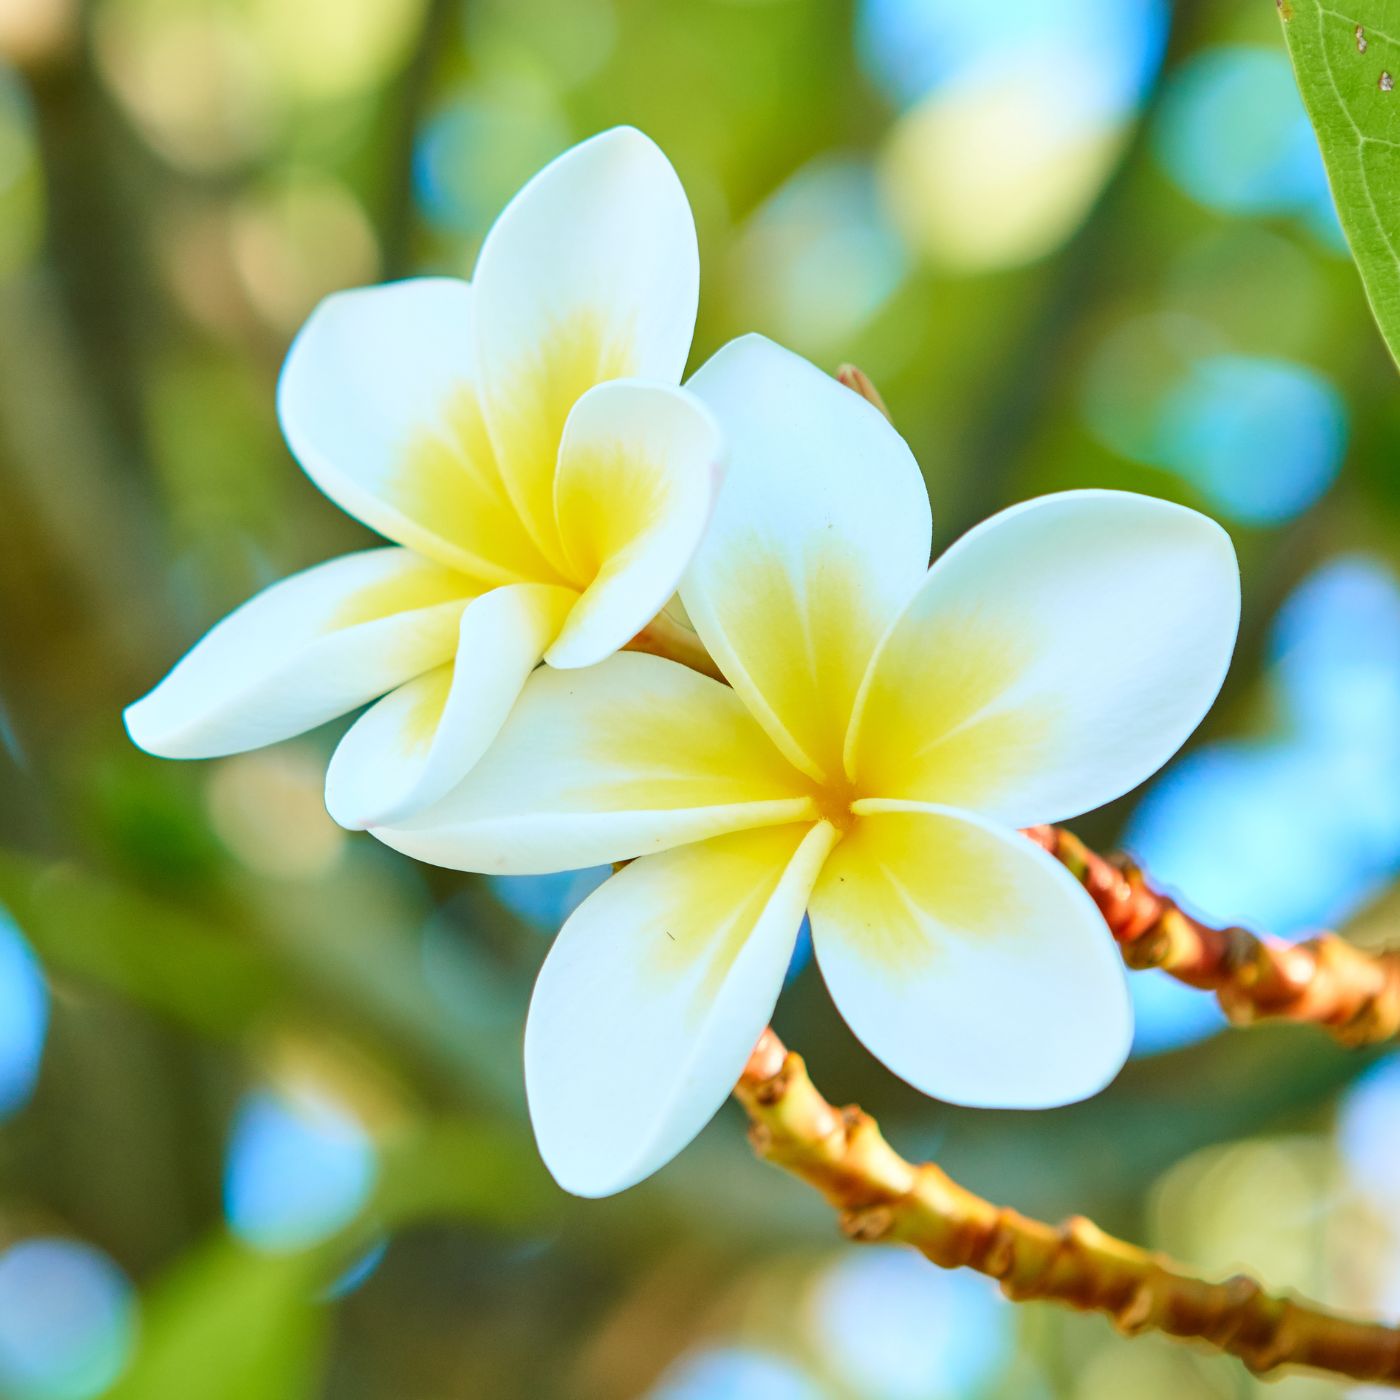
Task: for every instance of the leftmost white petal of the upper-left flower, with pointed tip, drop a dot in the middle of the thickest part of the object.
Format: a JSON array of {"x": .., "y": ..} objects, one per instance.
[{"x": 304, "y": 652}]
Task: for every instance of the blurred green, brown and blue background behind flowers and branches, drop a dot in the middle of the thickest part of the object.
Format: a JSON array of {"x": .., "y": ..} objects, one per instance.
[{"x": 262, "y": 1132}]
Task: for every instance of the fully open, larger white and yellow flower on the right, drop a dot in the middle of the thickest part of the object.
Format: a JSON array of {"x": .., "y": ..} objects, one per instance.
[{"x": 885, "y": 731}]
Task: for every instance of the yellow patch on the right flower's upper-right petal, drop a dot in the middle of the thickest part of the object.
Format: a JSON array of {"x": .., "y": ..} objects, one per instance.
[{"x": 940, "y": 722}]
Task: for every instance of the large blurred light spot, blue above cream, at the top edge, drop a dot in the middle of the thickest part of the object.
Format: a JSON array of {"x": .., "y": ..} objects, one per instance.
[{"x": 1017, "y": 114}]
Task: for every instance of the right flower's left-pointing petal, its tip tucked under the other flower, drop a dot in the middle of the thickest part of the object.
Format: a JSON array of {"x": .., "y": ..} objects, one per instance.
[{"x": 631, "y": 757}]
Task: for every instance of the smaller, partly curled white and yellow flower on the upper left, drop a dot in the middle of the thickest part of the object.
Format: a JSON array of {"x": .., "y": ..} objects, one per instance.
[{"x": 523, "y": 442}]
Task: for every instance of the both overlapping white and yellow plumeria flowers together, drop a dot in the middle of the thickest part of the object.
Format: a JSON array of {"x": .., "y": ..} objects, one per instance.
[{"x": 884, "y": 730}]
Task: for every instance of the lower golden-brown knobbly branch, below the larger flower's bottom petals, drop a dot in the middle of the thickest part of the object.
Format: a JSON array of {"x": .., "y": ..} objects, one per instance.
[{"x": 881, "y": 1198}]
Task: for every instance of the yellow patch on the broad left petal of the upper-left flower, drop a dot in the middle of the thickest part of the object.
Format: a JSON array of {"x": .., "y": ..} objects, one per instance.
[{"x": 451, "y": 484}]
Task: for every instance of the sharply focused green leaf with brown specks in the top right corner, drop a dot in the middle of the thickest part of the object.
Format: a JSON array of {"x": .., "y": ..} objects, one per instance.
[{"x": 1347, "y": 62}]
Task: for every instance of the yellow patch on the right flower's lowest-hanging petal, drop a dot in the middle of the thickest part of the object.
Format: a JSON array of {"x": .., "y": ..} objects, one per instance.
[{"x": 719, "y": 891}]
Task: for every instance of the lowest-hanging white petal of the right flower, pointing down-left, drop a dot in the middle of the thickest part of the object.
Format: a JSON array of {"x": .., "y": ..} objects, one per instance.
[{"x": 653, "y": 997}]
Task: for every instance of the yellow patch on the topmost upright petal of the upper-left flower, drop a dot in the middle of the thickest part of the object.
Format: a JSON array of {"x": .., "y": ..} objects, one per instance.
[{"x": 528, "y": 418}]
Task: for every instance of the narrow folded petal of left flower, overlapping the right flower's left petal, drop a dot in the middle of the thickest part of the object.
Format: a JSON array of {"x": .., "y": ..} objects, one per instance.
[{"x": 421, "y": 741}]
